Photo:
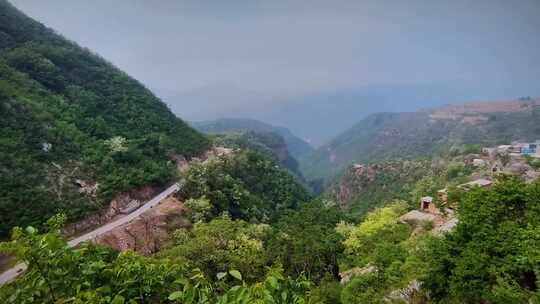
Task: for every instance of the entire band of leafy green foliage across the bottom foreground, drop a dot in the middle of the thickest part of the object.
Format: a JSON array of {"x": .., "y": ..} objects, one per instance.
[{"x": 491, "y": 257}]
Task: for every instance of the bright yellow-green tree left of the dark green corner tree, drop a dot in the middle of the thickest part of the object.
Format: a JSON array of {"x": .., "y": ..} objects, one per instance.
[{"x": 381, "y": 255}]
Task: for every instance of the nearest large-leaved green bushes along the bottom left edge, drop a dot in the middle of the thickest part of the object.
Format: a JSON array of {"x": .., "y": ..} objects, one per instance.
[{"x": 90, "y": 274}]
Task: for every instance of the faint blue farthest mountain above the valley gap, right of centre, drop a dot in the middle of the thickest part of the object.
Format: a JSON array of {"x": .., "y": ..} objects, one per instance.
[{"x": 320, "y": 116}]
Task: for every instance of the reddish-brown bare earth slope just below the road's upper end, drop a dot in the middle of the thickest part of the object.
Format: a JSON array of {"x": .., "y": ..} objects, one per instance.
[{"x": 149, "y": 232}]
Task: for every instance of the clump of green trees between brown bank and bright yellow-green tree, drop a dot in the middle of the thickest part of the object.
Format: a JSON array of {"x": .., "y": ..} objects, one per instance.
[{"x": 303, "y": 241}]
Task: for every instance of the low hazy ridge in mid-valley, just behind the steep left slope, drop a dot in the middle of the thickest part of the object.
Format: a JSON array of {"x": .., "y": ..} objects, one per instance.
[{"x": 296, "y": 146}]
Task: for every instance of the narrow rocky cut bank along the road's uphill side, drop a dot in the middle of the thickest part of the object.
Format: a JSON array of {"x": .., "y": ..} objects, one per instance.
[{"x": 119, "y": 204}]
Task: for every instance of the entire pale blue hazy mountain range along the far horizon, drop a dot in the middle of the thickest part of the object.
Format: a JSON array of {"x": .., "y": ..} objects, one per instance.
[{"x": 314, "y": 116}]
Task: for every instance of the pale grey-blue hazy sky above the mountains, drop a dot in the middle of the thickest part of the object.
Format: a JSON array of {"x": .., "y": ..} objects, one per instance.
[{"x": 265, "y": 51}]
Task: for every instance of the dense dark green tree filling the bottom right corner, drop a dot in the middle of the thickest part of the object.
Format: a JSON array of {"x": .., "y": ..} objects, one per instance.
[{"x": 493, "y": 254}]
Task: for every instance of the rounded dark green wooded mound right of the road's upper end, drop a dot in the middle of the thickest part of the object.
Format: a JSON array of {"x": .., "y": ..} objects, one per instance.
[{"x": 247, "y": 185}]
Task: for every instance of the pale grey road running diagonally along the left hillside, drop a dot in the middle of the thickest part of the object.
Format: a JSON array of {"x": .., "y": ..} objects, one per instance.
[{"x": 12, "y": 273}]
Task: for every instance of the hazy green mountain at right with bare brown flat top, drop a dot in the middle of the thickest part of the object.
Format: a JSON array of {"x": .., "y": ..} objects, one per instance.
[{"x": 410, "y": 135}]
